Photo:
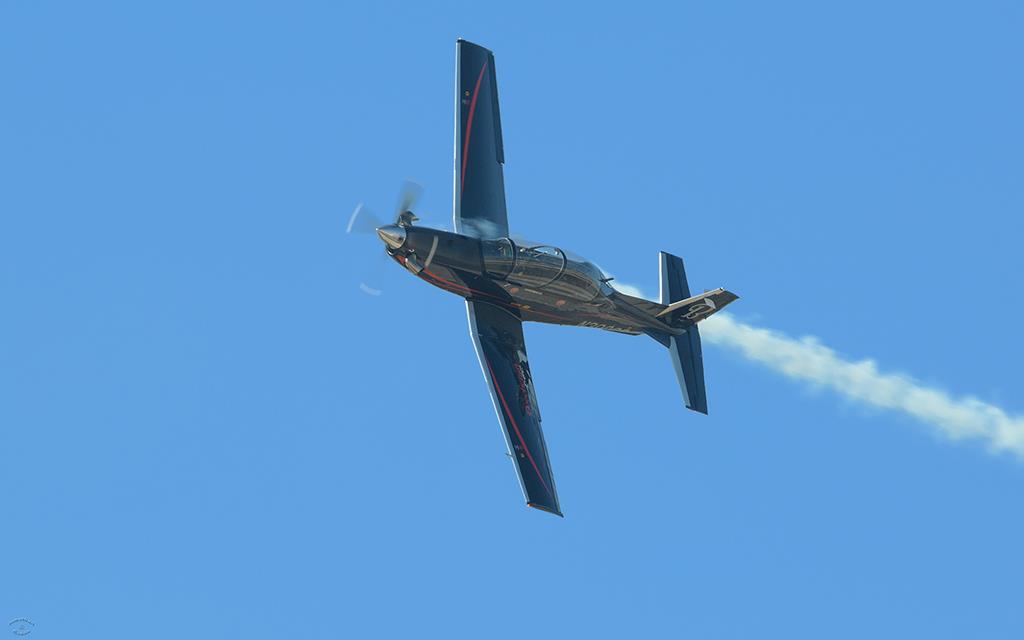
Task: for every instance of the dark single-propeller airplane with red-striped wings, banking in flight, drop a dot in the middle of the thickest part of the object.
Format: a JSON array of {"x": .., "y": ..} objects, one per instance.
[{"x": 507, "y": 281}]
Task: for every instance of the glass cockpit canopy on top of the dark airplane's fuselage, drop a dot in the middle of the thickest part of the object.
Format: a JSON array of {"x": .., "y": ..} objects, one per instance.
[{"x": 543, "y": 268}]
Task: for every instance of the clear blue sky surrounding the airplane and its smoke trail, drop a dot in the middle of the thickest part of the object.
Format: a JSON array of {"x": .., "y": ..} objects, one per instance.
[{"x": 208, "y": 432}]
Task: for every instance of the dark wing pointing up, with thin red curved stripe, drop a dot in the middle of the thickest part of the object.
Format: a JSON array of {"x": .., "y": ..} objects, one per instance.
[{"x": 480, "y": 183}]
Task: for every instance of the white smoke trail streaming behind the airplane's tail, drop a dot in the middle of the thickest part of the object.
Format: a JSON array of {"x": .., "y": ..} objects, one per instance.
[{"x": 808, "y": 360}]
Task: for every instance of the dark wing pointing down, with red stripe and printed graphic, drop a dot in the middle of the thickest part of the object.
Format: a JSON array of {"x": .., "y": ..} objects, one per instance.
[{"x": 500, "y": 346}]
